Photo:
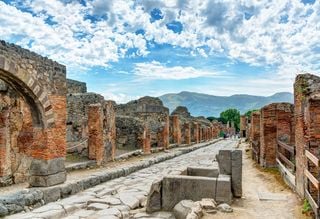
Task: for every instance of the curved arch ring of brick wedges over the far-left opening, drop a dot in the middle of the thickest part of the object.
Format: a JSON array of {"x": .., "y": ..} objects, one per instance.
[{"x": 30, "y": 89}]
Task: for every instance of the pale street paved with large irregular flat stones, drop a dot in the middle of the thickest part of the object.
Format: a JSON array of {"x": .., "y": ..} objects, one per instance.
[{"x": 124, "y": 197}]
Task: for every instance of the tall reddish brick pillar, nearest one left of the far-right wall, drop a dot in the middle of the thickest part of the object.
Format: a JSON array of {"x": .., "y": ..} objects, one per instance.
[{"x": 268, "y": 138}]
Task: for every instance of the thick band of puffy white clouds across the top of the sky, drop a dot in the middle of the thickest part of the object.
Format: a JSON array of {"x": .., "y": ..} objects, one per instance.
[{"x": 256, "y": 32}]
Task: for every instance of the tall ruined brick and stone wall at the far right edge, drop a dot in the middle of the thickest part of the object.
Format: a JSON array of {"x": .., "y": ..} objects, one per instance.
[{"x": 306, "y": 110}]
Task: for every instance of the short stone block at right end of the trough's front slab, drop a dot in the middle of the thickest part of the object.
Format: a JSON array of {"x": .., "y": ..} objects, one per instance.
[{"x": 223, "y": 191}]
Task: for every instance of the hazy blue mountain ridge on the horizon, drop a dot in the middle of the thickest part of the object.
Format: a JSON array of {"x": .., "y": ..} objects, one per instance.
[{"x": 208, "y": 105}]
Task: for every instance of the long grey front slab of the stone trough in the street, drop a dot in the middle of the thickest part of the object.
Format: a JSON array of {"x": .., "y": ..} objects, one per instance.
[{"x": 178, "y": 188}]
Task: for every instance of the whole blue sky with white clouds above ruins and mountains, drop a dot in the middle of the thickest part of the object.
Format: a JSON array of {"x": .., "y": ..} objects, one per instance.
[{"x": 126, "y": 49}]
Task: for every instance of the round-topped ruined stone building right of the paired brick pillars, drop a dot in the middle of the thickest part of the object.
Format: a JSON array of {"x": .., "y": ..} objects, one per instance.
[{"x": 151, "y": 119}]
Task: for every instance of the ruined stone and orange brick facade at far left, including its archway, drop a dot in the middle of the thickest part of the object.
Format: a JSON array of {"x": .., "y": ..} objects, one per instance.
[{"x": 41, "y": 84}]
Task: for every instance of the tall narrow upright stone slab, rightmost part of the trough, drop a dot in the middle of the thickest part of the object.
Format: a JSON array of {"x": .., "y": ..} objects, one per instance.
[{"x": 236, "y": 173}]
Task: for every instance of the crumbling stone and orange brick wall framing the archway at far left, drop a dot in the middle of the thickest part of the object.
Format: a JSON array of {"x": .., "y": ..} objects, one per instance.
[{"x": 42, "y": 84}]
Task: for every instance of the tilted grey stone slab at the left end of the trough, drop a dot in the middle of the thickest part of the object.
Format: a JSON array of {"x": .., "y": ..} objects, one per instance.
[{"x": 154, "y": 197}]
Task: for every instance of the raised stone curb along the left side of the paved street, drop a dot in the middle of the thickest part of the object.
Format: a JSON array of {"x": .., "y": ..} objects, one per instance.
[{"x": 28, "y": 199}]
